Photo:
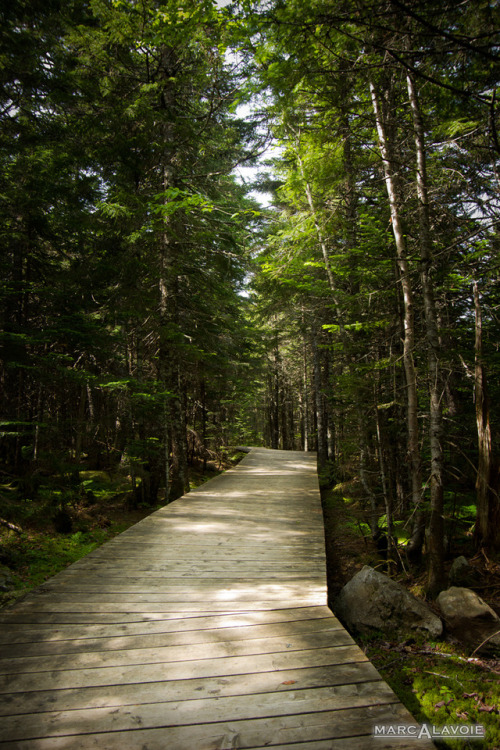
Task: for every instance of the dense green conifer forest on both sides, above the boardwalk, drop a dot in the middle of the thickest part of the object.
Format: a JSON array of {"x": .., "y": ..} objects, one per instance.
[{"x": 157, "y": 308}]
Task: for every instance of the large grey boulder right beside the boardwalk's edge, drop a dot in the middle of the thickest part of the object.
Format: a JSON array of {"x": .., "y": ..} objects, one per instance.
[{"x": 372, "y": 601}]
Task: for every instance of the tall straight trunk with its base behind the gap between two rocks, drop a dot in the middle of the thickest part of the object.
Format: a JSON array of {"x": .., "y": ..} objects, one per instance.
[{"x": 435, "y": 579}]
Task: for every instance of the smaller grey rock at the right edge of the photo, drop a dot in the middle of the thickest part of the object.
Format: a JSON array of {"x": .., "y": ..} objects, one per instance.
[{"x": 469, "y": 618}]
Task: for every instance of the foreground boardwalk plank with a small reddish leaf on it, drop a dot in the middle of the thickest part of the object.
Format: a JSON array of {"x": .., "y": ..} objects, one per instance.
[{"x": 169, "y": 690}]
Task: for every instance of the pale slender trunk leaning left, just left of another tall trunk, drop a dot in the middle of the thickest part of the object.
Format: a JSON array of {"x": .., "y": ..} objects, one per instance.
[{"x": 417, "y": 539}]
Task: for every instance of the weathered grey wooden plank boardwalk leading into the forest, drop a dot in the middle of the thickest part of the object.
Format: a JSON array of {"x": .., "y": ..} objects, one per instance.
[{"x": 203, "y": 627}]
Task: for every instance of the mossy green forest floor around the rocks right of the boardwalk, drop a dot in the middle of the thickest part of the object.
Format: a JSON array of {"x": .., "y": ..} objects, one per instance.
[{"x": 440, "y": 682}]
